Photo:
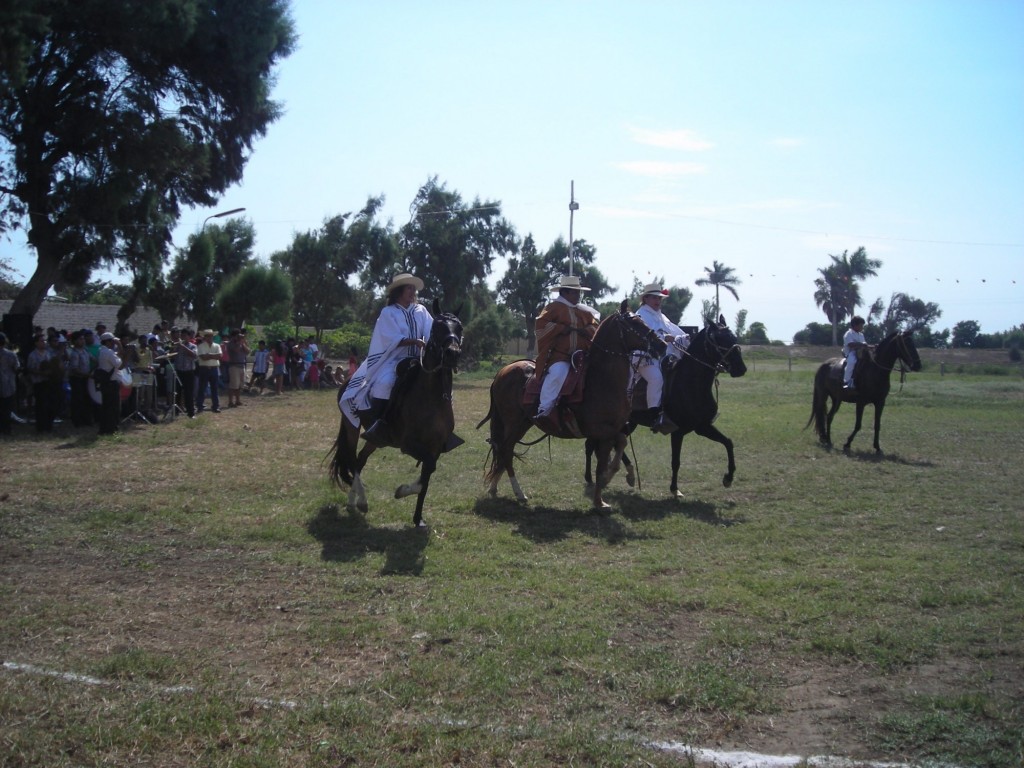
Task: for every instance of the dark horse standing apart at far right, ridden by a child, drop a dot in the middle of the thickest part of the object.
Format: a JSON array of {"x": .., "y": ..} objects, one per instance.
[{"x": 871, "y": 381}]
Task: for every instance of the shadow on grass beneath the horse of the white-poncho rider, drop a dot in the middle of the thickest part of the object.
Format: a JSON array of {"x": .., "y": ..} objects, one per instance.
[{"x": 348, "y": 538}]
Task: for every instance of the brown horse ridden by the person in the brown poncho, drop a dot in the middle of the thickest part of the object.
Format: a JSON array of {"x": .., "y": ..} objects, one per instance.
[{"x": 601, "y": 415}]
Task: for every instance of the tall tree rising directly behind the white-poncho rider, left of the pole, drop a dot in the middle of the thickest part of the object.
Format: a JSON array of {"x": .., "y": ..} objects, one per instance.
[{"x": 448, "y": 243}]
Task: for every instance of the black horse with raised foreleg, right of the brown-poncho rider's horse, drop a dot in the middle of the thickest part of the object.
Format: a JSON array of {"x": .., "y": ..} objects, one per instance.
[{"x": 690, "y": 398}]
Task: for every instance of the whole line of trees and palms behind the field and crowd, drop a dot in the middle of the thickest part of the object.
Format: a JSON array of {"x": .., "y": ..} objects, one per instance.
[{"x": 115, "y": 116}]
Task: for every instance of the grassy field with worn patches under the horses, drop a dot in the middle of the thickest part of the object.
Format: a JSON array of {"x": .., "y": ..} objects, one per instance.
[{"x": 197, "y": 594}]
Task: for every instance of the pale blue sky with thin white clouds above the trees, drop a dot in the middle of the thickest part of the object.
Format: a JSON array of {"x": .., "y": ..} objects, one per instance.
[{"x": 765, "y": 136}]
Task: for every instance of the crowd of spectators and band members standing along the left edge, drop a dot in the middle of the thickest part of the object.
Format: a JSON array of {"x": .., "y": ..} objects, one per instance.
[{"x": 90, "y": 377}]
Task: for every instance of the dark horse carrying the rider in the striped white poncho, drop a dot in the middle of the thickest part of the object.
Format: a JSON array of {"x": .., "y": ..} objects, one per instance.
[{"x": 420, "y": 419}]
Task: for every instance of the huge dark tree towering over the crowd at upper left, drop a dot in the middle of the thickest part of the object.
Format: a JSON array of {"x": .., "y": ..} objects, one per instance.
[{"x": 114, "y": 114}]
